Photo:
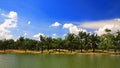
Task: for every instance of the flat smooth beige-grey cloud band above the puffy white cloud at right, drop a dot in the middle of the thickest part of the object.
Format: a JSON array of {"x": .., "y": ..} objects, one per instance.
[{"x": 99, "y": 24}]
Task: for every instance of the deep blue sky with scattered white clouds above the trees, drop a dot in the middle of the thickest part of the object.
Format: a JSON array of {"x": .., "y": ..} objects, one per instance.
[{"x": 56, "y": 18}]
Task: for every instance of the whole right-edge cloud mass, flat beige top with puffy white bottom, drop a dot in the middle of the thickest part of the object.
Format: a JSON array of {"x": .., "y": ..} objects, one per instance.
[{"x": 100, "y": 26}]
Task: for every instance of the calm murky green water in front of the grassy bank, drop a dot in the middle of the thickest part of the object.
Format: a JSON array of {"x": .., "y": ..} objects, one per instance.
[{"x": 59, "y": 61}]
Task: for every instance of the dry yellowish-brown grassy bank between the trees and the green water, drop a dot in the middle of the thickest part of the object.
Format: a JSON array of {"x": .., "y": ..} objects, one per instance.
[{"x": 56, "y": 52}]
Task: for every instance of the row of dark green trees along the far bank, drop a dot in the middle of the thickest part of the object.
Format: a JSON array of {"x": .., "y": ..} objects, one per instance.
[{"x": 81, "y": 41}]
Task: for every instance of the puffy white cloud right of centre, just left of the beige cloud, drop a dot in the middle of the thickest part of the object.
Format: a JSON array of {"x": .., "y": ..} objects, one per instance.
[{"x": 73, "y": 28}]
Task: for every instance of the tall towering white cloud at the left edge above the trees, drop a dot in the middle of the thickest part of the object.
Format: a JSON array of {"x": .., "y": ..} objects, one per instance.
[{"x": 10, "y": 22}]
